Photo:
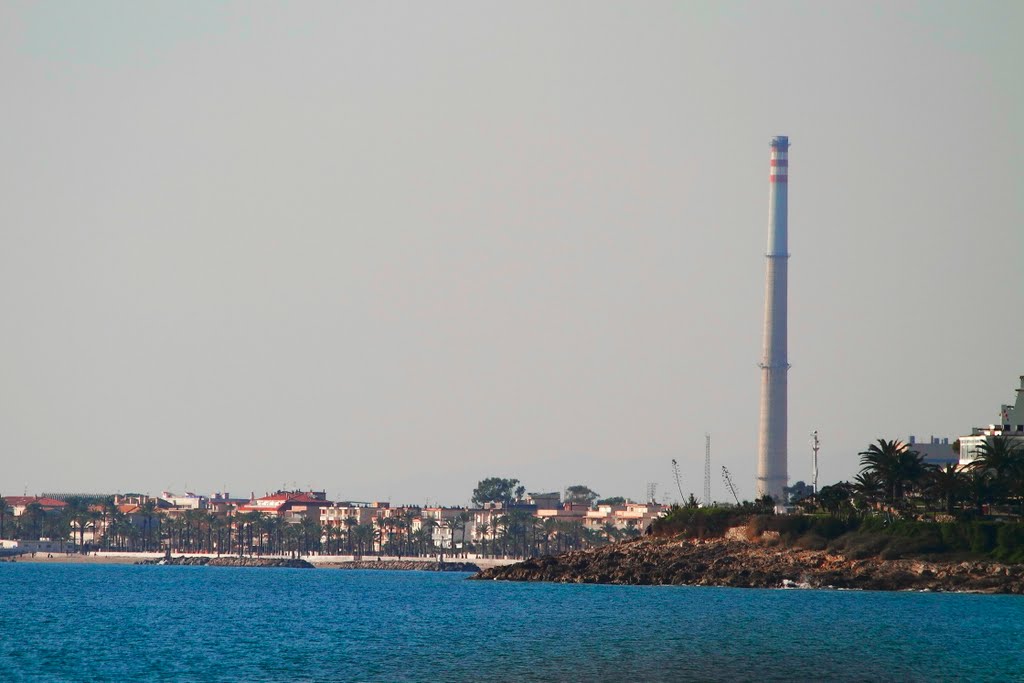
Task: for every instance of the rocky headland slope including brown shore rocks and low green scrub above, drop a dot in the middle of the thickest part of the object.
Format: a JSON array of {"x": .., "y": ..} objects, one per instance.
[{"x": 718, "y": 547}]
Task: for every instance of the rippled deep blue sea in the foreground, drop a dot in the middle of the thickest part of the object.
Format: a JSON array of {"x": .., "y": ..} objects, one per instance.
[{"x": 126, "y": 623}]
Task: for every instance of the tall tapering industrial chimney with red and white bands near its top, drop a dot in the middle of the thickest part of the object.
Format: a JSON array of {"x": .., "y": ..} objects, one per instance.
[{"x": 775, "y": 365}]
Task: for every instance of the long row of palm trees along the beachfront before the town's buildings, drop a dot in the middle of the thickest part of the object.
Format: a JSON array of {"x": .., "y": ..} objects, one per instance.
[{"x": 93, "y": 525}]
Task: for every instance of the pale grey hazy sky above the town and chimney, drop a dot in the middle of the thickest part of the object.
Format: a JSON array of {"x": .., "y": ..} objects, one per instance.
[{"x": 391, "y": 249}]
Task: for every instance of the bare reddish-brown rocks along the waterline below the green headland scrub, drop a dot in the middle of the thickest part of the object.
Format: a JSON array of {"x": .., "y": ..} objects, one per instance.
[{"x": 744, "y": 565}]
